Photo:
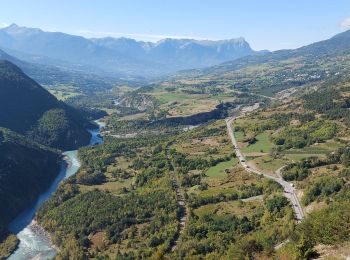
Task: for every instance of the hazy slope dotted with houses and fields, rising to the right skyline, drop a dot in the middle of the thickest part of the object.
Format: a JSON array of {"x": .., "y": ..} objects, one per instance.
[{"x": 273, "y": 72}]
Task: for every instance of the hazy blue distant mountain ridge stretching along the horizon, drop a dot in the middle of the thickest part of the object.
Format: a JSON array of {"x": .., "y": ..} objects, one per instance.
[{"x": 119, "y": 55}]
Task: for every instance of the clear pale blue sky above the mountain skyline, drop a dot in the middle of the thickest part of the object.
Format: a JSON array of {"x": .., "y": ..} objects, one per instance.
[{"x": 265, "y": 24}]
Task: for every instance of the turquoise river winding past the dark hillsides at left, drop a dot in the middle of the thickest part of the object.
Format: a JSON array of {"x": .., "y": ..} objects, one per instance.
[{"x": 34, "y": 242}]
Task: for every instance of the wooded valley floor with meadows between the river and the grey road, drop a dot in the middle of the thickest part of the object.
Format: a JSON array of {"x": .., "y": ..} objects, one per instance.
[{"x": 176, "y": 194}]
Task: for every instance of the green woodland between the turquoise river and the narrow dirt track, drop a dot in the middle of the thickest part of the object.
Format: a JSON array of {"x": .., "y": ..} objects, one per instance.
[{"x": 143, "y": 214}]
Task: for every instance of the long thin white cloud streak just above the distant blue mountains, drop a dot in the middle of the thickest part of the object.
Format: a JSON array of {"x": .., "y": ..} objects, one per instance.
[{"x": 138, "y": 36}]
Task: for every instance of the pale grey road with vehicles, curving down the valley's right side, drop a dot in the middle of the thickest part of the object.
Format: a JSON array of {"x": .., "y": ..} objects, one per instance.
[{"x": 289, "y": 191}]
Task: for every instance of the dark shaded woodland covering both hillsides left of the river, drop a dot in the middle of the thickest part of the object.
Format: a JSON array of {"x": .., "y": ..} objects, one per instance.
[{"x": 33, "y": 126}]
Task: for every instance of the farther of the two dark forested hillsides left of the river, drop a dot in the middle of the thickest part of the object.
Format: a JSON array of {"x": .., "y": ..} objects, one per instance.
[{"x": 29, "y": 109}]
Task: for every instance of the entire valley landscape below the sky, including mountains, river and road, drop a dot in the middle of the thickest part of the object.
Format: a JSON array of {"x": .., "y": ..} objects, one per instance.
[{"x": 112, "y": 148}]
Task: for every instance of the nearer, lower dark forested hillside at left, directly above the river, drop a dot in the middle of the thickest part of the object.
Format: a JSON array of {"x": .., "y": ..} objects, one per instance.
[{"x": 26, "y": 170}]
